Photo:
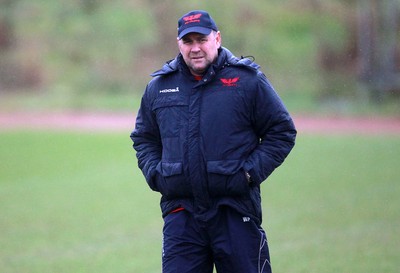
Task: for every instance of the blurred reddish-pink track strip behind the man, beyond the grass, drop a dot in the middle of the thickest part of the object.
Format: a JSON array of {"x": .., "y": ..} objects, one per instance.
[{"x": 125, "y": 122}]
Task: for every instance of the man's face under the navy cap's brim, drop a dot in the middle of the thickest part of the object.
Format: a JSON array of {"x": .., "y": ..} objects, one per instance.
[{"x": 199, "y": 51}]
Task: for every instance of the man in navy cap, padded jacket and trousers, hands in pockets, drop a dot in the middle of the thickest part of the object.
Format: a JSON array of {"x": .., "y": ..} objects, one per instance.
[{"x": 209, "y": 130}]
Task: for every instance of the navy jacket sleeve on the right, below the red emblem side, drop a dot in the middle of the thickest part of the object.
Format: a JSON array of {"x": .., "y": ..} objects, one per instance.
[{"x": 274, "y": 128}]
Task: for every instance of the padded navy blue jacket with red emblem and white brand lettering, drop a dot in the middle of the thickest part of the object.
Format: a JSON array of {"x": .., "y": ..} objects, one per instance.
[{"x": 196, "y": 139}]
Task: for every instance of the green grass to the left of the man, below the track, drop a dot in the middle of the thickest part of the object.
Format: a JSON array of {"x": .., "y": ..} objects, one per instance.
[{"x": 75, "y": 203}]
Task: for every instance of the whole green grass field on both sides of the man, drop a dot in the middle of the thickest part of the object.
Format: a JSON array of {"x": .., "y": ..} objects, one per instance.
[{"x": 73, "y": 202}]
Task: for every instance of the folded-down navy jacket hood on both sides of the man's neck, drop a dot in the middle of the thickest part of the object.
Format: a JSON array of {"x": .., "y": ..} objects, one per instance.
[{"x": 225, "y": 58}]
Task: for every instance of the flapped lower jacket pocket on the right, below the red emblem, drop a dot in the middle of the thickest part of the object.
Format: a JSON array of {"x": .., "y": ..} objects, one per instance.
[{"x": 227, "y": 178}]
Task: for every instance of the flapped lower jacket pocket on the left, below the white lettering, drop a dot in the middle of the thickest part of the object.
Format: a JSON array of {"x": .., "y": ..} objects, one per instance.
[{"x": 171, "y": 182}]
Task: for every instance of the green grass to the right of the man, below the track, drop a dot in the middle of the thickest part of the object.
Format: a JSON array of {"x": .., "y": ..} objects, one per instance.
[{"x": 334, "y": 206}]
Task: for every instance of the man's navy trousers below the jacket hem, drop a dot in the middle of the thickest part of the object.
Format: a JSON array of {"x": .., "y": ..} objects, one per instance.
[{"x": 231, "y": 242}]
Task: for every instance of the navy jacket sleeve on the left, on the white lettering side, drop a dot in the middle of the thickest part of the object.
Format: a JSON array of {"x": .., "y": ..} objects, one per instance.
[{"x": 146, "y": 141}]
